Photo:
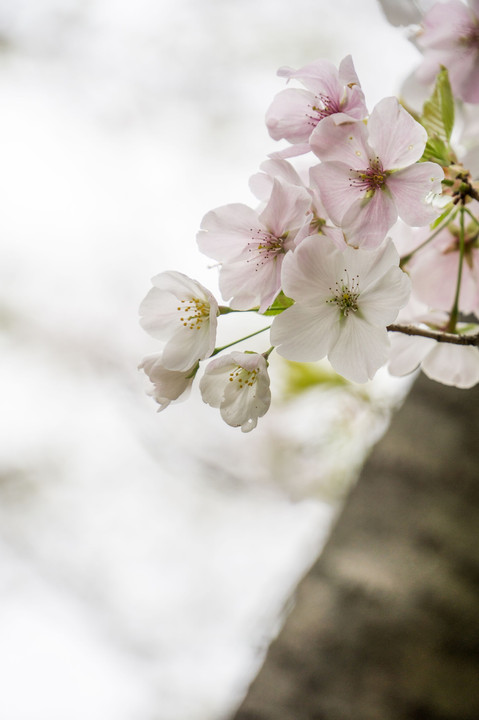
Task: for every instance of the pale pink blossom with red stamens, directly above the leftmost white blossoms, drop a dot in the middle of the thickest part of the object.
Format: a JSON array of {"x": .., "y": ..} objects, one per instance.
[{"x": 251, "y": 245}]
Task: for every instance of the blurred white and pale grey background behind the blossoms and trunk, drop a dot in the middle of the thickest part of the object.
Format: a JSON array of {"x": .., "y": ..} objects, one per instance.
[{"x": 146, "y": 559}]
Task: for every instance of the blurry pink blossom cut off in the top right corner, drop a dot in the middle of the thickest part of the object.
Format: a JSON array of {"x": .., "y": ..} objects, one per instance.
[{"x": 450, "y": 37}]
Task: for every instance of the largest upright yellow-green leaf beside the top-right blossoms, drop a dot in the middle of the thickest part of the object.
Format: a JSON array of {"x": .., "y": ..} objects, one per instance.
[{"x": 438, "y": 116}]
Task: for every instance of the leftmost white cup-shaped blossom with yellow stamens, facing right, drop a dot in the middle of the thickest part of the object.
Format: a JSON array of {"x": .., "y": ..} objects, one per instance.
[{"x": 183, "y": 314}]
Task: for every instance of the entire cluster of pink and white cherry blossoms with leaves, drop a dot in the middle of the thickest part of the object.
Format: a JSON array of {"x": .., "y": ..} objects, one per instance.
[{"x": 370, "y": 258}]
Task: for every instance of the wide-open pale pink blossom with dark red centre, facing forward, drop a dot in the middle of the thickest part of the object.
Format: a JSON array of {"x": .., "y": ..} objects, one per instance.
[{"x": 369, "y": 175}]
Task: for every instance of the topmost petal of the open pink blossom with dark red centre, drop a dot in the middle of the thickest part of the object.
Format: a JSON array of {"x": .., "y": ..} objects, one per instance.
[{"x": 397, "y": 139}]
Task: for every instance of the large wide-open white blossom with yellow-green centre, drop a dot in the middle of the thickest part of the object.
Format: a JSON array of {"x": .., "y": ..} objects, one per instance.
[{"x": 343, "y": 303}]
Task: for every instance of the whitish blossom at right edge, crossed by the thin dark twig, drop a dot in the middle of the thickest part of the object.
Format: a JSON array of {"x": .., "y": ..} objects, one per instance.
[{"x": 450, "y": 364}]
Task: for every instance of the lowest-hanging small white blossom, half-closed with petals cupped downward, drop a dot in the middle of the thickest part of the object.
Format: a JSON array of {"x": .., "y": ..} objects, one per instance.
[{"x": 238, "y": 384}]
